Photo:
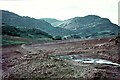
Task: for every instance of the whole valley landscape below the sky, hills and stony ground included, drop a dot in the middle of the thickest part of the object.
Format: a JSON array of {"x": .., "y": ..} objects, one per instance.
[{"x": 85, "y": 48}]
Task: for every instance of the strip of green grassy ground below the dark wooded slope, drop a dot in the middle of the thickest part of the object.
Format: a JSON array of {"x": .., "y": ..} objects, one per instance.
[{"x": 14, "y": 40}]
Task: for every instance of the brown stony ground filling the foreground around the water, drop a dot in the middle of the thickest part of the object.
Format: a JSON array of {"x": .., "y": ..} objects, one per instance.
[{"x": 39, "y": 61}]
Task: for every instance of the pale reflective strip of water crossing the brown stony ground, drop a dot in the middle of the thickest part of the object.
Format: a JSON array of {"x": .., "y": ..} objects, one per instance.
[{"x": 76, "y": 58}]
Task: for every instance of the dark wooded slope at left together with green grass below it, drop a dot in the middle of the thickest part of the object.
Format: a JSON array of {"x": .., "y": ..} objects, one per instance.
[{"x": 13, "y": 35}]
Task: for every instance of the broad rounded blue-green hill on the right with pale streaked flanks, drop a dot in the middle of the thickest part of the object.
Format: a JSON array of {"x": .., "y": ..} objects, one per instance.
[{"x": 89, "y": 26}]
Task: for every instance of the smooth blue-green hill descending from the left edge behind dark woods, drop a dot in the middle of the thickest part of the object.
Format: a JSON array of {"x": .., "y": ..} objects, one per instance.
[{"x": 27, "y": 22}]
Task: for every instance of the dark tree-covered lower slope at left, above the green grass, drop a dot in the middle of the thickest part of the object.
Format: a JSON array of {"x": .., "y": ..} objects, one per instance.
[{"x": 23, "y": 32}]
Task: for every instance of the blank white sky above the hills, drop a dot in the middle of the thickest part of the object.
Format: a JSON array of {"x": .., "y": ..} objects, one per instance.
[{"x": 62, "y": 9}]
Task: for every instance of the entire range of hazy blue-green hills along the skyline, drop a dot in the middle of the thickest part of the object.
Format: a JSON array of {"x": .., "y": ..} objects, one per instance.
[{"x": 90, "y": 26}]
